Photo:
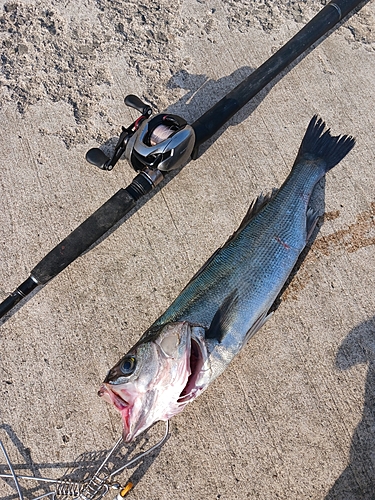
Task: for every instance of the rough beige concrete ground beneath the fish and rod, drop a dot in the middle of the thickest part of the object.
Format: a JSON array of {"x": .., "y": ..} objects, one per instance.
[{"x": 293, "y": 417}]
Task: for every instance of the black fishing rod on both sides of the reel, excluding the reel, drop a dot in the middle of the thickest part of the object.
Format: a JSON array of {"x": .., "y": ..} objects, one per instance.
[{"x": 109, "y": 214}]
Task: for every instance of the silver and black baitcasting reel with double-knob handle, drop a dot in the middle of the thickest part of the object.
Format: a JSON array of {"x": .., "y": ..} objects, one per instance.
[{"x": 162, "y": 143}]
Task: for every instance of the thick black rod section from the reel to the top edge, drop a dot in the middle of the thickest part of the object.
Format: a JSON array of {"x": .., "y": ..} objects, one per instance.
[{"x": 212, "y": 121}]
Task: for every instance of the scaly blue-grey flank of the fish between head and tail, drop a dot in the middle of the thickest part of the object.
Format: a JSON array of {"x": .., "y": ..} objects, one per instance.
[{"x": 256, "y": 261}]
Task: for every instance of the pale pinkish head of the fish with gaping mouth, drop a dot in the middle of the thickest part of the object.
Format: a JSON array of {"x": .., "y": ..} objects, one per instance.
[{"x": 146, "y": 383}]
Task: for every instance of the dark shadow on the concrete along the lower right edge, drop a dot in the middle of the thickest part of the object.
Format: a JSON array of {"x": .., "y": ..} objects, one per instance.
[{"x": 357, "y": 482}]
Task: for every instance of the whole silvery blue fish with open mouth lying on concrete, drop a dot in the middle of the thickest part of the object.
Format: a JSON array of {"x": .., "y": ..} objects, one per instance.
[{"x": 227, "y": 301}]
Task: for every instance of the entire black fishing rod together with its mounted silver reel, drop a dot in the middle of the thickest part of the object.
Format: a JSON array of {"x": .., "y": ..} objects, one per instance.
[{"x": 155, "y": 146}]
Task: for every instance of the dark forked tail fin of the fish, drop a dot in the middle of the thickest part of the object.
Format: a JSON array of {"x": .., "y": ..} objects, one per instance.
[{"x": 331, "y": 149}]
